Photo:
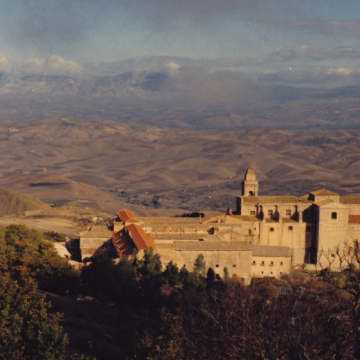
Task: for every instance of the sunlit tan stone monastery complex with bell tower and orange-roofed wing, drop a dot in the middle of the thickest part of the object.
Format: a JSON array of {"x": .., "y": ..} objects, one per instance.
[{"x": 264, "y": 236}]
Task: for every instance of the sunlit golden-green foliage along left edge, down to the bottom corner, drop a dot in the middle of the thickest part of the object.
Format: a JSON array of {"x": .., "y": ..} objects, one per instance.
[{"x": 27, "y": 329}]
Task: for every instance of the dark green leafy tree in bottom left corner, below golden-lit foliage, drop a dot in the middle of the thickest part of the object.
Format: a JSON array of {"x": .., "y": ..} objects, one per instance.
[{"x": 27, "y": 329}]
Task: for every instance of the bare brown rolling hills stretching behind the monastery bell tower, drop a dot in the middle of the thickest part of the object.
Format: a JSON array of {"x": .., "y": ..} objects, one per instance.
[{"x": 105, "y": 165}]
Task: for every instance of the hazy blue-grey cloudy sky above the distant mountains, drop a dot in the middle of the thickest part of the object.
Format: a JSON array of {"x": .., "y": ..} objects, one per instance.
[{"x": 107, "y": 30}]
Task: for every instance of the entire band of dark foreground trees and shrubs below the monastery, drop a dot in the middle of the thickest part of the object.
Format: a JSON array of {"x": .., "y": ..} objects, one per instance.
[{"x": 155, "y": 313}]
